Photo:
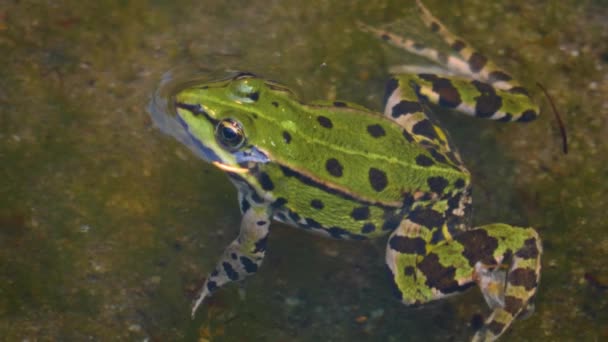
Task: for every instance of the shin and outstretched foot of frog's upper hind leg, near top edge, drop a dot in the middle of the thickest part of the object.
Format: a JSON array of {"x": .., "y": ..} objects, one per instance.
[{"x": 479, "y": 87}]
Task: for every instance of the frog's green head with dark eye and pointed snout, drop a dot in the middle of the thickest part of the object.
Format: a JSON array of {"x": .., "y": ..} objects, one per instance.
[{"x": 220, "y": 118}]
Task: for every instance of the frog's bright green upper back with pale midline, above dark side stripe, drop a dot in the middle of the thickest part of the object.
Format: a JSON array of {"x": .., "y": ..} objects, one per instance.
[{"x": 357, "y": 152}]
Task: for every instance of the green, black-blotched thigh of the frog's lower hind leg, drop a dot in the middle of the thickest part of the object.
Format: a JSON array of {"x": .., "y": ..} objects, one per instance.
[{"x": 423, "y": 272}]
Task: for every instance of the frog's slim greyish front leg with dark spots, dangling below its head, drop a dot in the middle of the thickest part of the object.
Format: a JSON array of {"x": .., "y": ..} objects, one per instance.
[{"x": 244, "y": 255}]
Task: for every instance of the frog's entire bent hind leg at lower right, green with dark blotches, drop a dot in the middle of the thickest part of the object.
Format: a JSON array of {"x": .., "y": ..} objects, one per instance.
[{"x": 503, "y": 260}]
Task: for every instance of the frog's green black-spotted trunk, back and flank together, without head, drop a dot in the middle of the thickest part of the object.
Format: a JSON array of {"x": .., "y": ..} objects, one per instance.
[{"x": 349, "y": 172}]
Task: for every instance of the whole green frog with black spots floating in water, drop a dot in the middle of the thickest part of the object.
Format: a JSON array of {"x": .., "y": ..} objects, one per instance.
[{"x": 340, "y": 170}]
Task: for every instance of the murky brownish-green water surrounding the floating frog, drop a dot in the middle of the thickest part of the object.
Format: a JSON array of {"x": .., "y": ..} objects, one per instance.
[{"x": 107, "y": 226}]
